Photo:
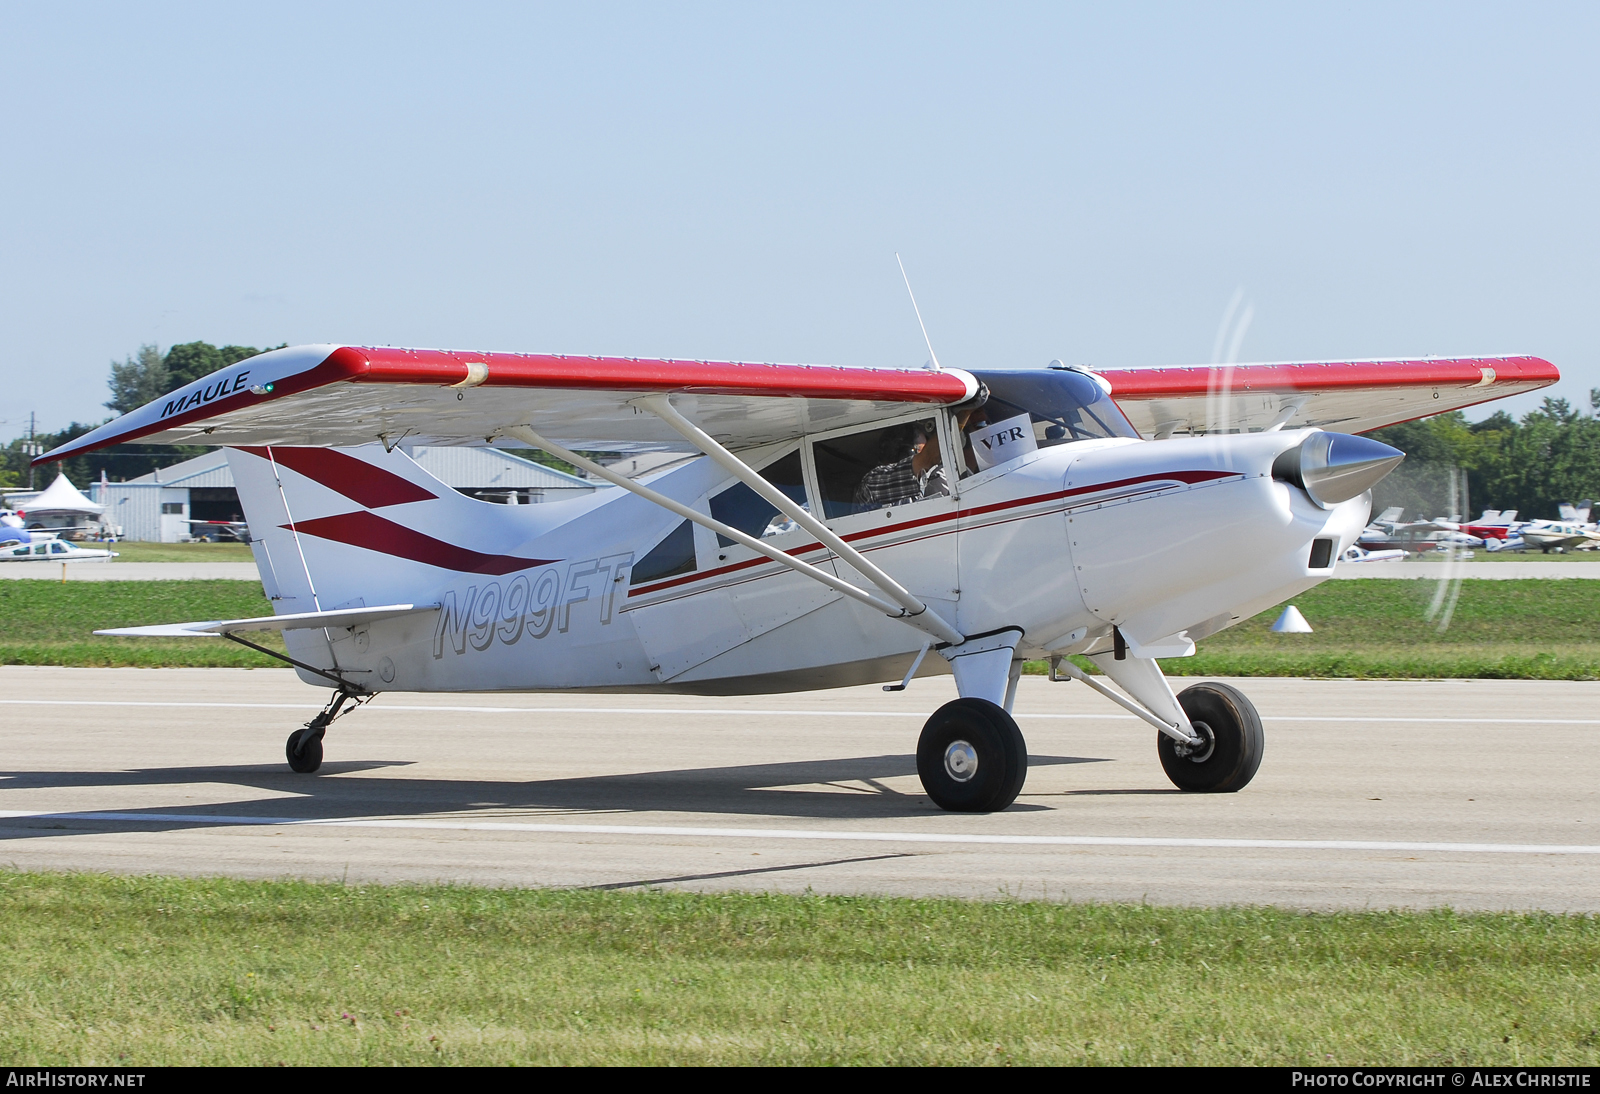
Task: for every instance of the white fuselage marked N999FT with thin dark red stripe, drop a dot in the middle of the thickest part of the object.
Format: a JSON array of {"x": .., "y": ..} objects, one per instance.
[{"x": 1153, "y": 538}]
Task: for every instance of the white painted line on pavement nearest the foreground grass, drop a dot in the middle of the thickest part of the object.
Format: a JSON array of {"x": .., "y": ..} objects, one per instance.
[{"x": 806, "y": 834}]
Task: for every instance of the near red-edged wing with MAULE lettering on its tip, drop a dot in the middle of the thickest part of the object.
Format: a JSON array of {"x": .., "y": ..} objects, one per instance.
[{"x": 343, "y": 396}]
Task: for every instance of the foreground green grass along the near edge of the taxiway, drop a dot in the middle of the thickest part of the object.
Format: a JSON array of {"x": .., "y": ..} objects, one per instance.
[{"x": 145, "y": 972}]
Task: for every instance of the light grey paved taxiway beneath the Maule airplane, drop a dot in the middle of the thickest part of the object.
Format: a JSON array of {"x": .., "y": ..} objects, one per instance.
[{"x": 1374, "y": 794}]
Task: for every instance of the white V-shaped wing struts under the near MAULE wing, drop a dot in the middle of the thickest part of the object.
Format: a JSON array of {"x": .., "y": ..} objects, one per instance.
[{"x": 922, "y": 618}]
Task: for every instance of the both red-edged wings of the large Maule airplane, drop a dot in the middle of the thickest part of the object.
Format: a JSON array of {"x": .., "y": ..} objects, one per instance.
[{"x": 340, "y": 396}]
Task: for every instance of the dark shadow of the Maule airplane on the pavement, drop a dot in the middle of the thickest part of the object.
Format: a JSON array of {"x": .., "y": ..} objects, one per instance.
[{"x": 812, "y": 789}]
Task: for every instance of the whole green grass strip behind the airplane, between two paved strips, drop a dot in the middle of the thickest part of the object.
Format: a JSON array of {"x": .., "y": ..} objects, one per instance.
[{"x": 1532, "y": 629}]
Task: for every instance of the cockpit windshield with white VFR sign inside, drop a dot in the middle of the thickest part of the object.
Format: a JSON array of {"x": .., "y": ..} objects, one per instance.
[{"x": 1036, "y": 410}]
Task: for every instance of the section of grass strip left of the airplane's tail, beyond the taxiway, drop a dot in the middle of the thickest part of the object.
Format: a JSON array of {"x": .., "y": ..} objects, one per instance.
[{"x": 52, "y": 625}]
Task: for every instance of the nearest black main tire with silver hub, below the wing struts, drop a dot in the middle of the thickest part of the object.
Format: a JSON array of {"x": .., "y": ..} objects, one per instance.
[{"x": 972, "y": 757}]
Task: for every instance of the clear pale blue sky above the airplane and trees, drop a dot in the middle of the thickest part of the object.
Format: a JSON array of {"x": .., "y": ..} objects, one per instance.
[{"x": 732, "y": 182}]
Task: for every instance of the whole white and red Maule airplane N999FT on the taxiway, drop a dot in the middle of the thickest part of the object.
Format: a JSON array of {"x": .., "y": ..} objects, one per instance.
[{"x": 836, "y": 527}]
